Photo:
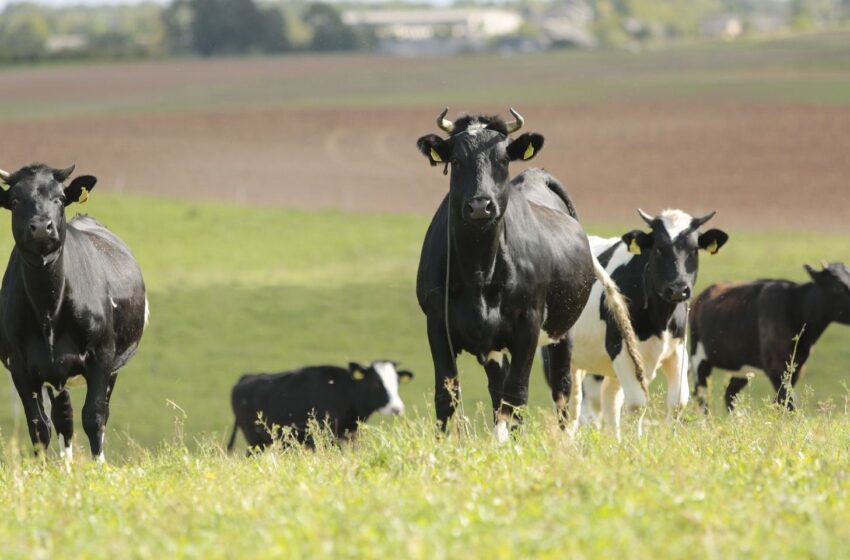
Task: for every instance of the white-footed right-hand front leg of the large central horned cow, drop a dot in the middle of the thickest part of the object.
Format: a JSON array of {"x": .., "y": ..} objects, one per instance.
[{"x": 515, "y": 390}]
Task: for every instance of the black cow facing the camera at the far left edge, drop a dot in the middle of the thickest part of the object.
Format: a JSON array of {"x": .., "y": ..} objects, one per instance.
[{"x": 72, "y": 304}]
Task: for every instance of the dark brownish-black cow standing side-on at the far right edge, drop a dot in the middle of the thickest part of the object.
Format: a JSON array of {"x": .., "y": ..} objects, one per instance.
[{"x": 755, "y": 324}]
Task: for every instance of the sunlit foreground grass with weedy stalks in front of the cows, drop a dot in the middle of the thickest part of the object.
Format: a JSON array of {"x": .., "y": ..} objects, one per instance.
[{"x": 764, "y": 484}]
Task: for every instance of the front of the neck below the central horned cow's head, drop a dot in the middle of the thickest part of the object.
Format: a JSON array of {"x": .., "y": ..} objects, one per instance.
[{"x": 475, "y": 253}]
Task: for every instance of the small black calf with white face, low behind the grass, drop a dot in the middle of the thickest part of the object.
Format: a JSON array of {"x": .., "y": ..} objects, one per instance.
[{"x": 342, "y": 398}]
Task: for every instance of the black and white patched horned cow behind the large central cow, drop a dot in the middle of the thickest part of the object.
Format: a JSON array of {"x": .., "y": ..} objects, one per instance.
[{"x": 656, "y": 272}]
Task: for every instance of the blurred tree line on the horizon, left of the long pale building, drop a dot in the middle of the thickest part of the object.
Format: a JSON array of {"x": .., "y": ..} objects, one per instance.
[{"x": 32, "y": 33}]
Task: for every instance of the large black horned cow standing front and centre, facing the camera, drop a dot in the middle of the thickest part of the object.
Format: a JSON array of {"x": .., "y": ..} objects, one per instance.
[{"x": 515, "y": 261}]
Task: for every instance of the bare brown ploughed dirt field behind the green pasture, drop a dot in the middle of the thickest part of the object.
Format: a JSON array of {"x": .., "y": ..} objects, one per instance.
[{"x": 777, "y": 167}]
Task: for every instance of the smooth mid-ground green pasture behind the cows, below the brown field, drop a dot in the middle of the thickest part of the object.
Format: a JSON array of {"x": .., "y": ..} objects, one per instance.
[{"x": 237, "y": 289}]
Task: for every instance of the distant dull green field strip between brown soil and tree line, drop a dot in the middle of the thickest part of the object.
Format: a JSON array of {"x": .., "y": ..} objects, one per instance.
[{"x": 804, "y": 69}]
